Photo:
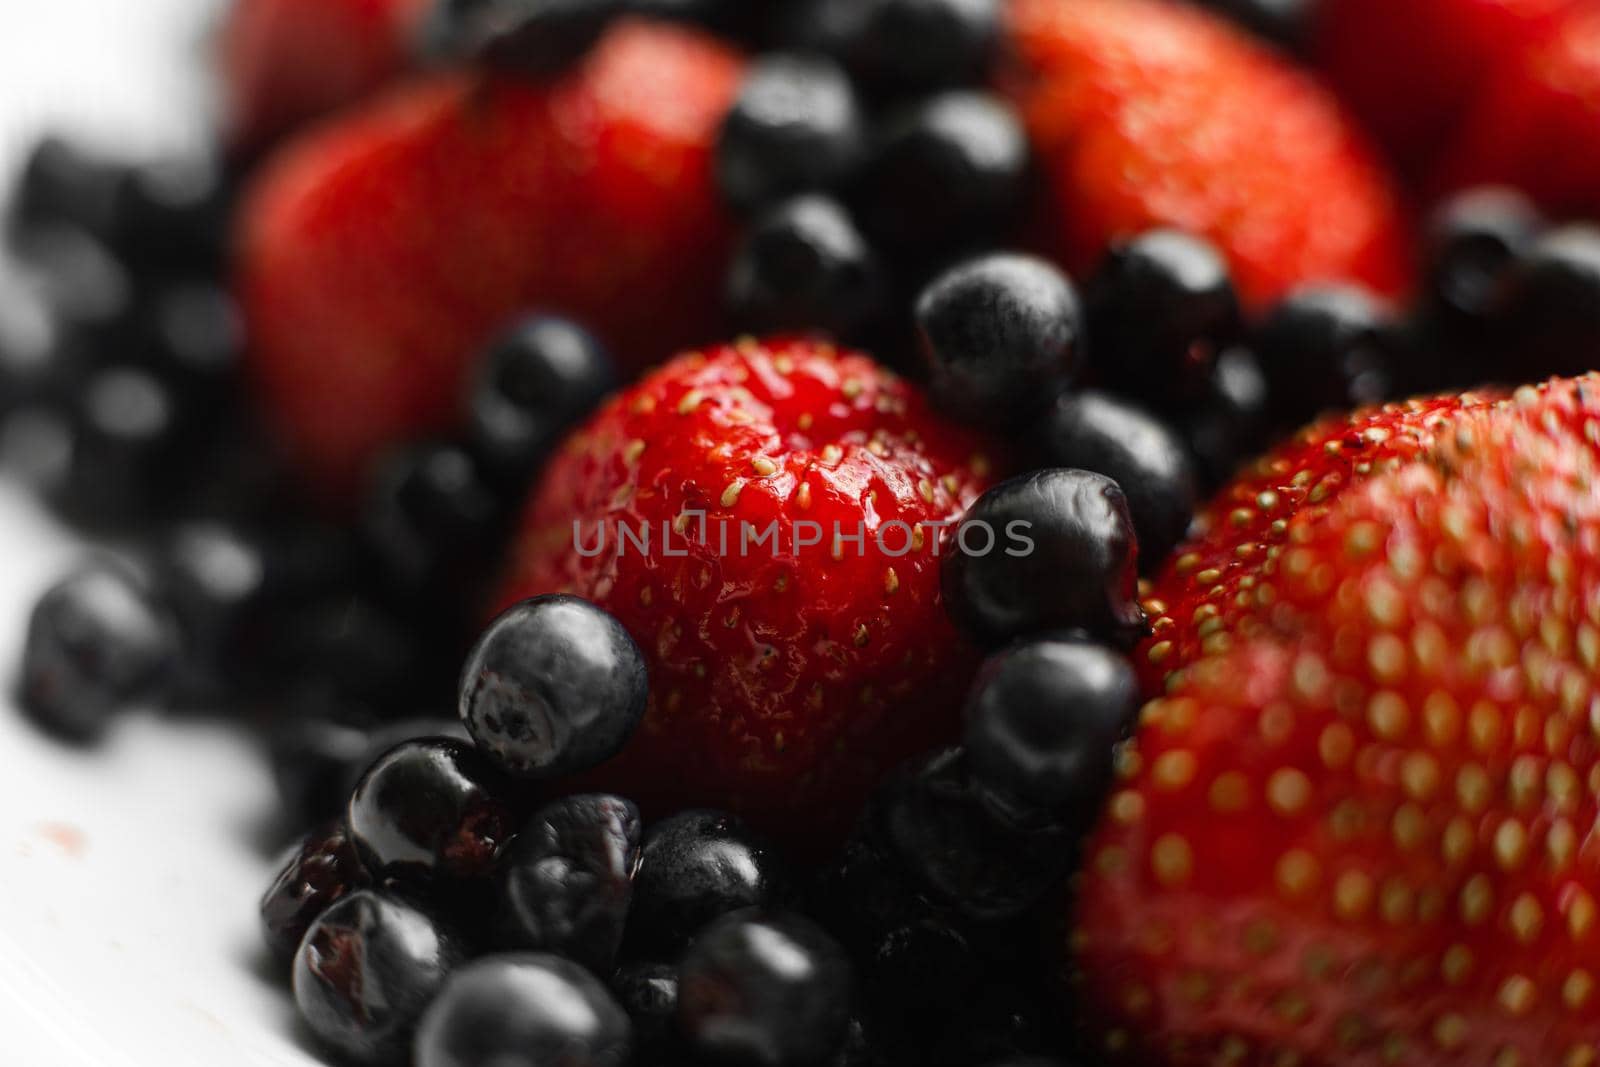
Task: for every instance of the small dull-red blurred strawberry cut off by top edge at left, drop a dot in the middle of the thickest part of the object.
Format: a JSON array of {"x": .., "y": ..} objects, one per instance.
[{"x": 287, "y": 62}]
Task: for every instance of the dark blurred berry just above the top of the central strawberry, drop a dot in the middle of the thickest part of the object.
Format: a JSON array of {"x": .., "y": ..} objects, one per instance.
[{"x": 804, "y": 266}]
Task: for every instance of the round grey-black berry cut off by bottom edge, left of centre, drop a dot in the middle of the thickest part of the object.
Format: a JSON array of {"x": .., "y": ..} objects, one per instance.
[{"x": 524, "y": 1010}]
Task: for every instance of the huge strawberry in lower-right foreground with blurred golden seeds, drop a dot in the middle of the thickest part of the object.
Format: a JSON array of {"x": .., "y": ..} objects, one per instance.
[{"x": 1362, "y": 834}]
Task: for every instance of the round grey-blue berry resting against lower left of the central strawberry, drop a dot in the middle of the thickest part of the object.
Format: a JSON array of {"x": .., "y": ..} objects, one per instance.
[{"x": 553, "y": 687}]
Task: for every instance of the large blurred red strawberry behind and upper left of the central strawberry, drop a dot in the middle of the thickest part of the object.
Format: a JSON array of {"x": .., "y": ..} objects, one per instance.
[{"x": 382, "y": 254}]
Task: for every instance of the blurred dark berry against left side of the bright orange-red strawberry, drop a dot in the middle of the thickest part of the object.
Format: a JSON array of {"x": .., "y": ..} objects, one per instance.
[{"x": 943, "y": 174}]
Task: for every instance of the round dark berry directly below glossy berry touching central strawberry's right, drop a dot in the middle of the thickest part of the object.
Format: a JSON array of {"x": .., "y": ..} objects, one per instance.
[{"x": 1042, "y": 721}]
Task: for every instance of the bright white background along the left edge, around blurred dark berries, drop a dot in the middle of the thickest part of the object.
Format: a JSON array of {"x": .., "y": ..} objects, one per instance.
[{"x": 129, "y": 876}]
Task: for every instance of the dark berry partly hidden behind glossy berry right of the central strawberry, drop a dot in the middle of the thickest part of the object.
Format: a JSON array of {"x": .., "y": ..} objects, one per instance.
[{"x": 1094, "y": 431}]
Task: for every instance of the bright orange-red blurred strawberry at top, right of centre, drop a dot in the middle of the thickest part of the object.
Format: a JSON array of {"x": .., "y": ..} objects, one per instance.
[{"x": 1154, "y": 114}]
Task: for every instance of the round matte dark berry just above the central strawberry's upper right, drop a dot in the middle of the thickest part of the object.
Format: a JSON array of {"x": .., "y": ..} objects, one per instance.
[{"x": 1002, "y": 337}]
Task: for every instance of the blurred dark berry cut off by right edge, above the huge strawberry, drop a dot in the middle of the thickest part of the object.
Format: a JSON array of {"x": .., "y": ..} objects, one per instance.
[{"x": 1553, "y": 305}]
